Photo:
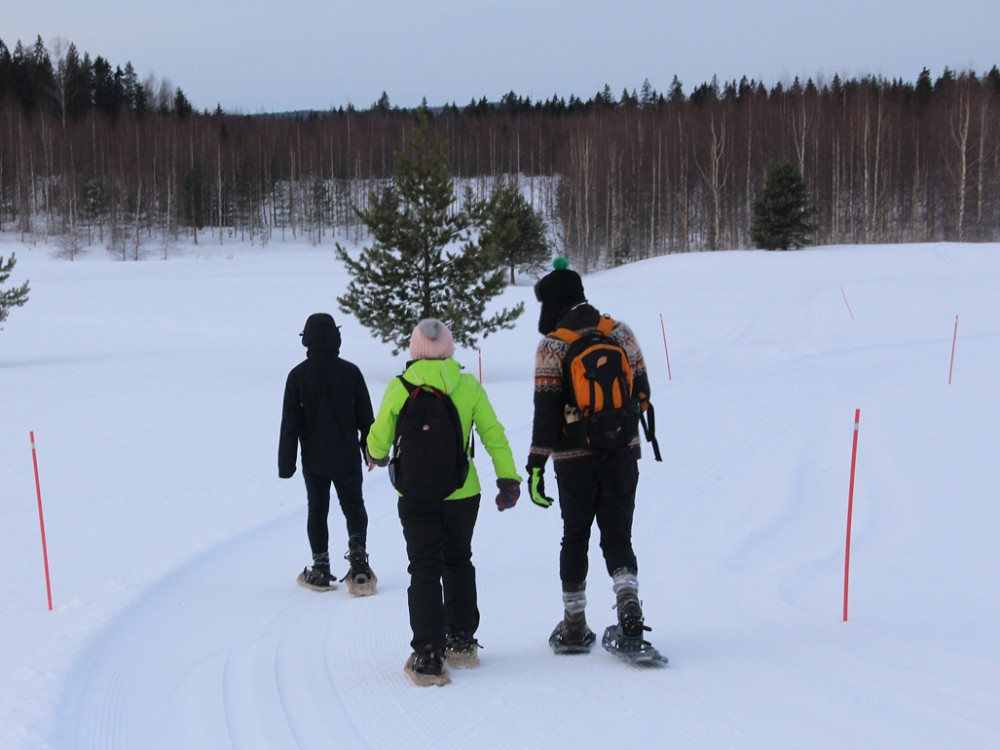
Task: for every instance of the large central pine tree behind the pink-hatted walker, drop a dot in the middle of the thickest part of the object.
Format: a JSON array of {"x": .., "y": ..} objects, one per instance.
[{"x": 422, "y": 261}]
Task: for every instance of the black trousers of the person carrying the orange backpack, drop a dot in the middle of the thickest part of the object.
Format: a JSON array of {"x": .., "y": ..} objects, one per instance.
[{"x": 602, "y": 490}]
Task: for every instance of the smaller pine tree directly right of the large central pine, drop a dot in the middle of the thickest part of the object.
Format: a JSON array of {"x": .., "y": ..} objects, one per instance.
[{"x": 514, "y": 232}]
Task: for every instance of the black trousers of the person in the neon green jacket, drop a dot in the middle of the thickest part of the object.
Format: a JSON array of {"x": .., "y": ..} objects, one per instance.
[{"x": 442, "y": 594}]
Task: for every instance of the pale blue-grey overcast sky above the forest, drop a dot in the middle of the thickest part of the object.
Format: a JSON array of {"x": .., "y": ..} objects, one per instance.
[{"x": 264, "y": 56}]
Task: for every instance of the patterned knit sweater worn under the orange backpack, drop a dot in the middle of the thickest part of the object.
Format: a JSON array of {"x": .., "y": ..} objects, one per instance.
[{"x": 548, "y": 438}]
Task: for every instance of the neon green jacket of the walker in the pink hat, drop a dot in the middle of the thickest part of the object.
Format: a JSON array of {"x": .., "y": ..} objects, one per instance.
[{"x": 473, "y": 407}]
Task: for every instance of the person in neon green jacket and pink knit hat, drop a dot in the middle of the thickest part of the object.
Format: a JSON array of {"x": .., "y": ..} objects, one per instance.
[{"x": 444, "y": 614}]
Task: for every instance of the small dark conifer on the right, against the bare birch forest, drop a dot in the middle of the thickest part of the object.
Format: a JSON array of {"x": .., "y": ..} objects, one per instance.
[{"x": 781, "y": 211}]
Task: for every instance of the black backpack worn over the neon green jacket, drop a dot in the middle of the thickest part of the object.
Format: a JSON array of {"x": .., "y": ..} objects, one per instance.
[{"x": 429, "y": 456}]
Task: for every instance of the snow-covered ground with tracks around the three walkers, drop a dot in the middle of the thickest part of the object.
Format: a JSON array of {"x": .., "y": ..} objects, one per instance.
[{"x": 154, "y": 389}]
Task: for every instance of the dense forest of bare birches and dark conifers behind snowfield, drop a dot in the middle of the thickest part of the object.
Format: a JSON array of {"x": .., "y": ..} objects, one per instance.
[{"x": 616, "y": 178}]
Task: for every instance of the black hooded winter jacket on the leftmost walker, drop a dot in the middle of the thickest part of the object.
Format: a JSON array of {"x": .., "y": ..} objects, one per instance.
[{"x": 326, "y": 406}]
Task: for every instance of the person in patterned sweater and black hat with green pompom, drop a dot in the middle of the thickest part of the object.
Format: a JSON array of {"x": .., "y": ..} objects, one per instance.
[{"x": 592, "y": 485}]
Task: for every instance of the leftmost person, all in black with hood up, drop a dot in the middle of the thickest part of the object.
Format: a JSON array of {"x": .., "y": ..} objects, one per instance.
[{"x": 328, "y": 411}]
